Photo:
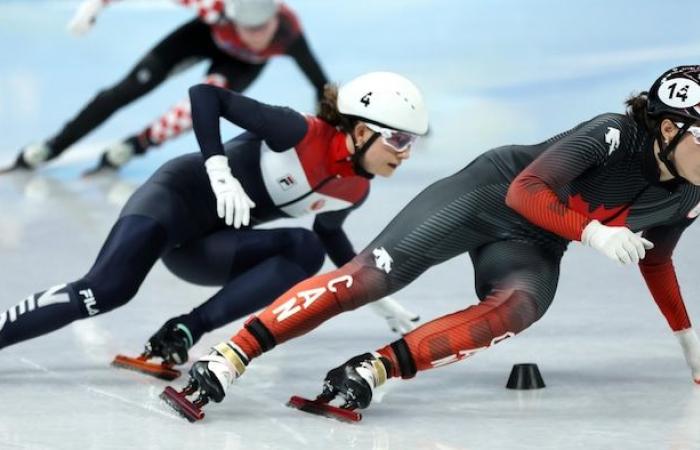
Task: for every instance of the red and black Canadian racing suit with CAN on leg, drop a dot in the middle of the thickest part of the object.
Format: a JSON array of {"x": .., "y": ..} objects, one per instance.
[{"x": 513, "y": 209}]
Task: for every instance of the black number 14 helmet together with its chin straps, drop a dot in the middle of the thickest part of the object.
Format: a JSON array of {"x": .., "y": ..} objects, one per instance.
[{"x": 676, "y": 95}]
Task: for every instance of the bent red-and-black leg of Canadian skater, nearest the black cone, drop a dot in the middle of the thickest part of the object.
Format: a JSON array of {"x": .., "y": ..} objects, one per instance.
[{"x": 517, "y": 282}]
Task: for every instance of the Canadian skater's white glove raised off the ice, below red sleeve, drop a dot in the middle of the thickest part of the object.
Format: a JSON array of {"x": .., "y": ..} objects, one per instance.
[{"x": 617, "y": 243}]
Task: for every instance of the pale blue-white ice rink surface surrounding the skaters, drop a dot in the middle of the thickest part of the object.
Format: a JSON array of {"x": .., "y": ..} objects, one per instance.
[{"x": 493, "y": 72}]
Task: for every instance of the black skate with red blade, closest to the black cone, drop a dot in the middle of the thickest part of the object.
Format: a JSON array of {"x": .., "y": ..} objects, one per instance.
[{"x": 353, "y": 382}]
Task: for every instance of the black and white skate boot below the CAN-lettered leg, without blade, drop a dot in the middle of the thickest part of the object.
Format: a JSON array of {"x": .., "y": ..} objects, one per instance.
[{"x": 215, "y": 372}]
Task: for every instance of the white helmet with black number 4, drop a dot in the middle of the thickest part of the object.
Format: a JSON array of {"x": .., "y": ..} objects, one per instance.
[{"x": 387, "y": 99}]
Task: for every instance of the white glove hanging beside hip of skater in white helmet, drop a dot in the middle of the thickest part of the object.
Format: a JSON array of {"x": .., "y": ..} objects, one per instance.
[{"x": 232, "y": 203}]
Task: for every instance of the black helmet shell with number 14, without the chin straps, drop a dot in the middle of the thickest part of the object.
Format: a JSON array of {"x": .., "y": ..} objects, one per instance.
[{"x": 676, "y": 94}]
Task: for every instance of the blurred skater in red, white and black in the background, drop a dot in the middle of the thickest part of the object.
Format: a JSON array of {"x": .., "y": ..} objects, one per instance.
[{"x": 237, "y": 38}]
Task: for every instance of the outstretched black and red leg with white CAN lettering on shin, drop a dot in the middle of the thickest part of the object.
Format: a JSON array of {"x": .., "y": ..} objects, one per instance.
[{"x": 432, "y": 228}]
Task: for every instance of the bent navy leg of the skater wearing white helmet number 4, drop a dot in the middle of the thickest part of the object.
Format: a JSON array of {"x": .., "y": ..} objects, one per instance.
[{"x": 254, "y": 267}]
